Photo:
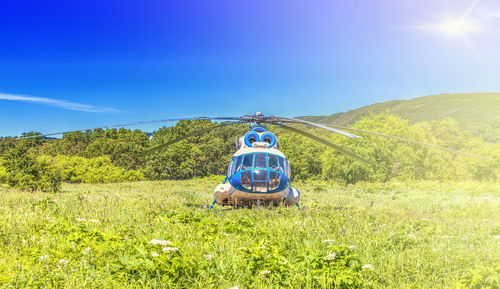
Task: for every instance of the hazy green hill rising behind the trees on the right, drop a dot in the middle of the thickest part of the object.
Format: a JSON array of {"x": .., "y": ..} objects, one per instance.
[{"x": 476, "y": 112}]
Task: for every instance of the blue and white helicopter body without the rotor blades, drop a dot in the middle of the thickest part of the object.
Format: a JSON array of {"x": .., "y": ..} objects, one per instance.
[{"x": 258, "y": 173}]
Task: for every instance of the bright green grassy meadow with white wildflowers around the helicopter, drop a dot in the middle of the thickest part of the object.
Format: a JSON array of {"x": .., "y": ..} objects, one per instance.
[{"x": 396, "y": 235}]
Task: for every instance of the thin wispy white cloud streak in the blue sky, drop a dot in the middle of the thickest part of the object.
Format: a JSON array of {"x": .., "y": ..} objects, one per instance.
[{"x": 57, "y": 103}]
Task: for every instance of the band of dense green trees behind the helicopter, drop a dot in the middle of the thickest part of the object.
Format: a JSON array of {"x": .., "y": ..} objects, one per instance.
[{"x": 117, "y": 155}]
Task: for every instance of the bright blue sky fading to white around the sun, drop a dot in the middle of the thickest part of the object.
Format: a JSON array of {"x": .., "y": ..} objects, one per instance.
[{"x": 76, "y": 64}]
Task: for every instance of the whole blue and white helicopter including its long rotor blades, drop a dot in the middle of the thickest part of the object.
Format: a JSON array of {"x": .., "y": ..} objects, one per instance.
[{"x": 258, "y": 172}]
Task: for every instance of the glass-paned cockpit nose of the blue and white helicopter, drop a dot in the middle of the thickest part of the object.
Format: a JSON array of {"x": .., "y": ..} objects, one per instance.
[{"x": 259, "y": 172}]
